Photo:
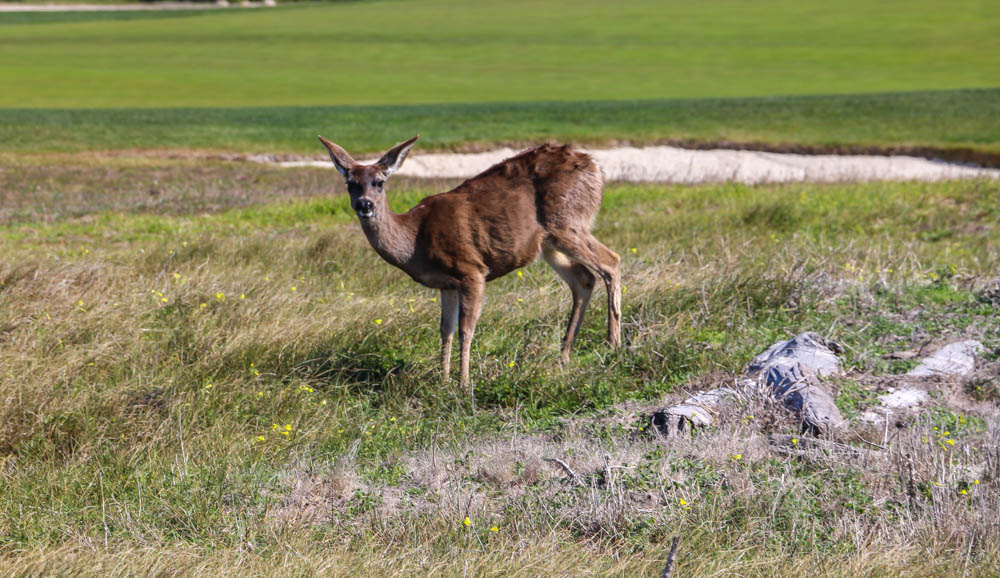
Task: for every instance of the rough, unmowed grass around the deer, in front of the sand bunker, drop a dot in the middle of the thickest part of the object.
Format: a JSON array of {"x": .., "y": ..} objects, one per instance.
[{"x": 241, "y": 383}]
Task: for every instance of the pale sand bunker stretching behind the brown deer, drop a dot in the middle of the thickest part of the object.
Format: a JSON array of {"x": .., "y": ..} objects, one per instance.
[{"x": 665, "y": 164}]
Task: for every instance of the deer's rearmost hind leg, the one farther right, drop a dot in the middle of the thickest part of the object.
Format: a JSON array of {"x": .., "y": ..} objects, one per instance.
[{"x": 584, "y": 248}]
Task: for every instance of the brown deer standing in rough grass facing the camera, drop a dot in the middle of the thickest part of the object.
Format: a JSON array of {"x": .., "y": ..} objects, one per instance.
[{"x": 543, "y": 200}]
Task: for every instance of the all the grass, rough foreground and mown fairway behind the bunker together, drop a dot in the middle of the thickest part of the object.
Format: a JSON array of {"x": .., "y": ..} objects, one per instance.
[{"x": 205, "y": 368}]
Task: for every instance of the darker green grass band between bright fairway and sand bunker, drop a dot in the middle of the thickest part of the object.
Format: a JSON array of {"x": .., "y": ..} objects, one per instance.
[{"x": 945, "y": 119}]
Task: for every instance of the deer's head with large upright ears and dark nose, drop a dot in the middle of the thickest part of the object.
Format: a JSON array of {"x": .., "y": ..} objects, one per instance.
[{"x": 366, "y": 183}]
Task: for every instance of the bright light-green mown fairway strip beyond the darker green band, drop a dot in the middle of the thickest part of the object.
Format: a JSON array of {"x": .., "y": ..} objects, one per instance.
[{"x": 433, "y": 51}]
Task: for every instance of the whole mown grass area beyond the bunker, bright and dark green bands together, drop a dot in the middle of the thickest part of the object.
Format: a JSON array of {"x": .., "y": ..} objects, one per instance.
[{"x": 848, "y": 74}]
